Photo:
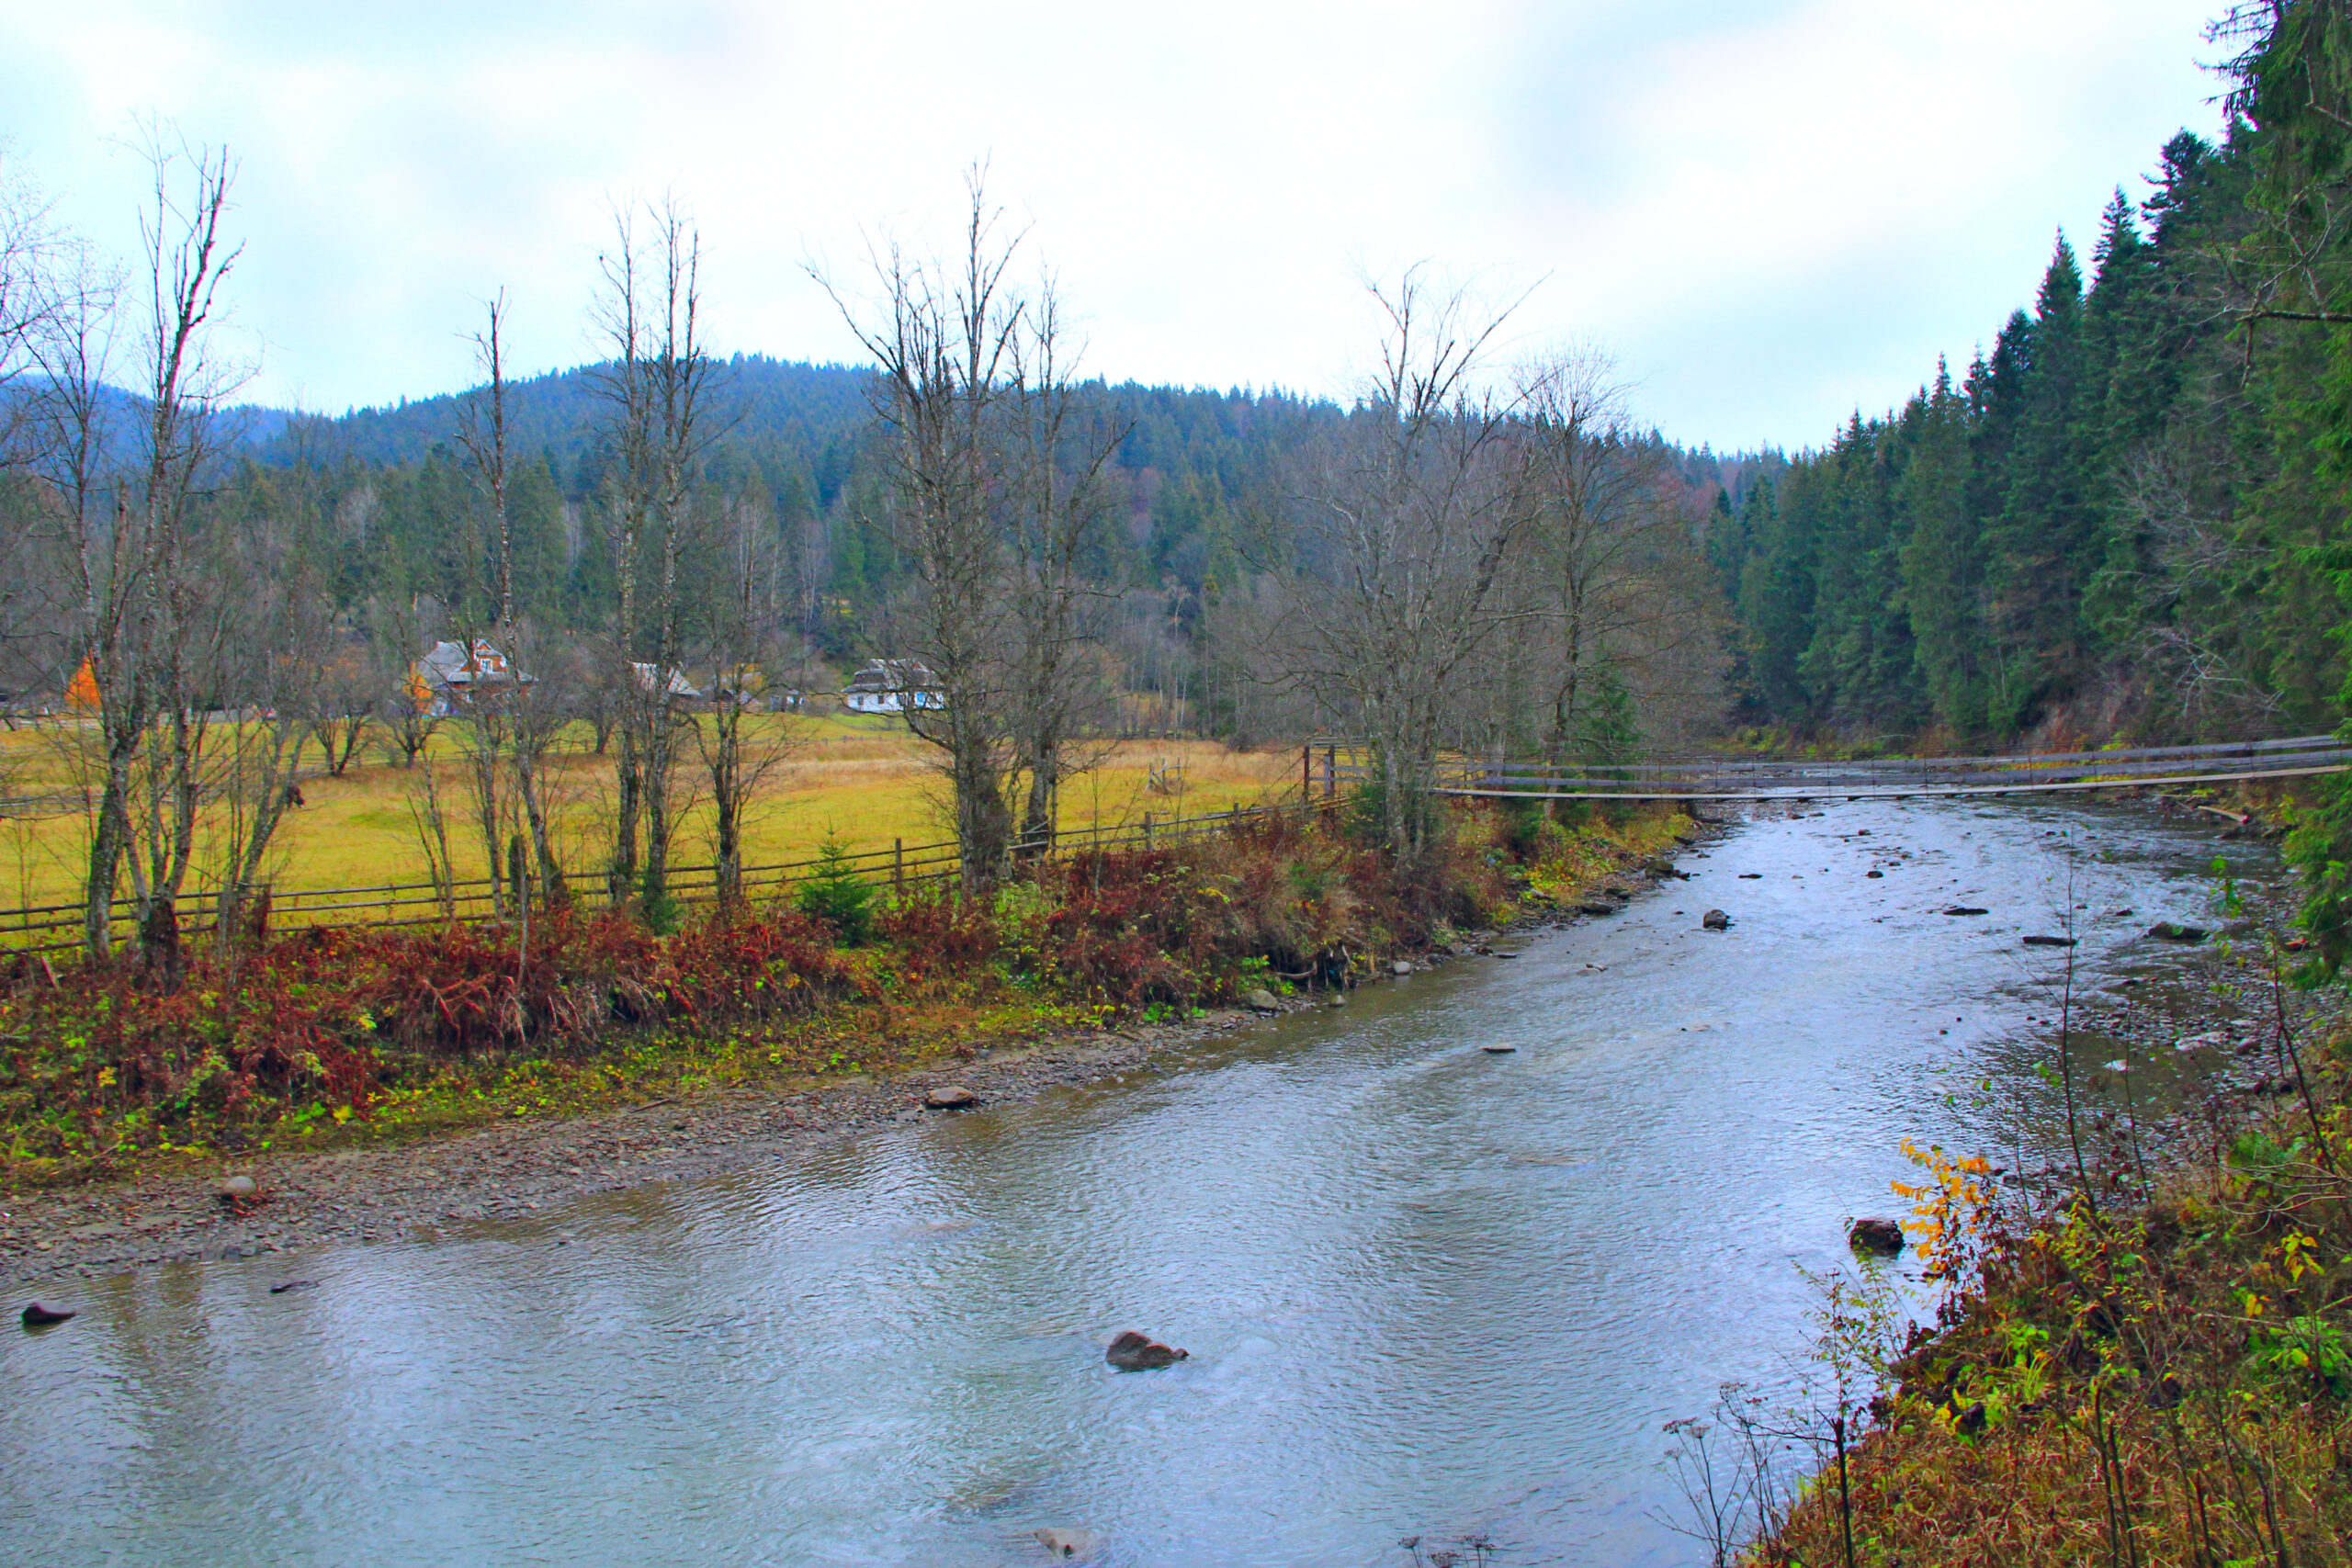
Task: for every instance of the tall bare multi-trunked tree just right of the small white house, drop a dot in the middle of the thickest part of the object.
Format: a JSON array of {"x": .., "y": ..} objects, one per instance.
[{"x": 996, "y": 504}]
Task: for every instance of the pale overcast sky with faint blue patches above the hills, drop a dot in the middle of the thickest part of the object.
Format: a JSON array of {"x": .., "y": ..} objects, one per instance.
[{"x": 1770, "y": 210}]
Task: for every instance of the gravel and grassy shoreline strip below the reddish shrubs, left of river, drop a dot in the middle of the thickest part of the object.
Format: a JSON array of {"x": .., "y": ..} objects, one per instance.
[{"x": 502, "y": 1139}]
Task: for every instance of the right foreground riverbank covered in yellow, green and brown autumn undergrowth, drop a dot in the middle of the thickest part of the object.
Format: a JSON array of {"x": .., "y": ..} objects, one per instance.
[{"x": 2146, "y": 1362}]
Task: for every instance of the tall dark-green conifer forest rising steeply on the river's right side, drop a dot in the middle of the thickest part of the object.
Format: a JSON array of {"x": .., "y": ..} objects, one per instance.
[{"x": 2127, "y": 514}]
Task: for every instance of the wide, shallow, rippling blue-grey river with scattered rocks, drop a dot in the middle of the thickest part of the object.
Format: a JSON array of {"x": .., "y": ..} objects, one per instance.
[{"x": 1429, "y": 1292}]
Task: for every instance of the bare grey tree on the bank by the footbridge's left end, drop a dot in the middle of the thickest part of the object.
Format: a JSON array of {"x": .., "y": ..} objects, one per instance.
[{"x": 1408, "y": 525}]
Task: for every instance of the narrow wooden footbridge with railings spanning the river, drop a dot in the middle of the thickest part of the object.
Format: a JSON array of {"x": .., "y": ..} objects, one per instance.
[{"x": 1815, "y": 779}]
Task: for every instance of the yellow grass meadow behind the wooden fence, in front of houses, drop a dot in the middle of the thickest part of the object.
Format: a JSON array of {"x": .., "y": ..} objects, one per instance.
[{"x": 862, "y": 779}]
